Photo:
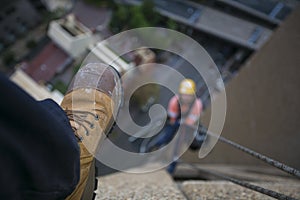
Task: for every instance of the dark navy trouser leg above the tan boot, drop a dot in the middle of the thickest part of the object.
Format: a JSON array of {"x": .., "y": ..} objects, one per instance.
[{"x": 39, "y": 153}]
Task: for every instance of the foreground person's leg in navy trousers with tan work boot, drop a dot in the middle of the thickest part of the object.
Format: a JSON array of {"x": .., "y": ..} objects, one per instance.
[{"x": 43, "y": 152}]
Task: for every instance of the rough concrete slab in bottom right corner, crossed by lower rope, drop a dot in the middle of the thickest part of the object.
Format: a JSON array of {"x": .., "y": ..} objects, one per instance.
[{"x": 196, "y": 190}]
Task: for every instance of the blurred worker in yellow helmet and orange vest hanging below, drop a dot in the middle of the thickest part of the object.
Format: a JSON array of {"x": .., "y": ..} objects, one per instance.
[{"x": 183, "y": 108}]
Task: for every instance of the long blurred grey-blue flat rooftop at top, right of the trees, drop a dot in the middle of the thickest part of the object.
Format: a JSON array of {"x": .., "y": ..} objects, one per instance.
[{"x": 213, "y": 22}]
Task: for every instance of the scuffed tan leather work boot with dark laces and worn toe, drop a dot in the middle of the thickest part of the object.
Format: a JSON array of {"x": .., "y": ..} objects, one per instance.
[{"x": 91, "y": 104}]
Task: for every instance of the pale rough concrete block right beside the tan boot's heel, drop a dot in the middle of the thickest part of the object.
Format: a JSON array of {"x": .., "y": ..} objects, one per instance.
[{"x": 156, "y": 185}]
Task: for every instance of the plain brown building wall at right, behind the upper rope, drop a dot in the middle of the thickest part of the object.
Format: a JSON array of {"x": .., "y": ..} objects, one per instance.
[{"x": 263, "y": 103}]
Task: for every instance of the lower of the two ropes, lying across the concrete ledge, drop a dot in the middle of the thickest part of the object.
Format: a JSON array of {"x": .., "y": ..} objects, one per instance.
[{"x": 256, "y": 188}]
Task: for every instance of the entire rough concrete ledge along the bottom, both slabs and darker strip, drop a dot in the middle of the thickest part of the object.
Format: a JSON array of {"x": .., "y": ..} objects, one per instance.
[{"x": 159, "y": 185}]
